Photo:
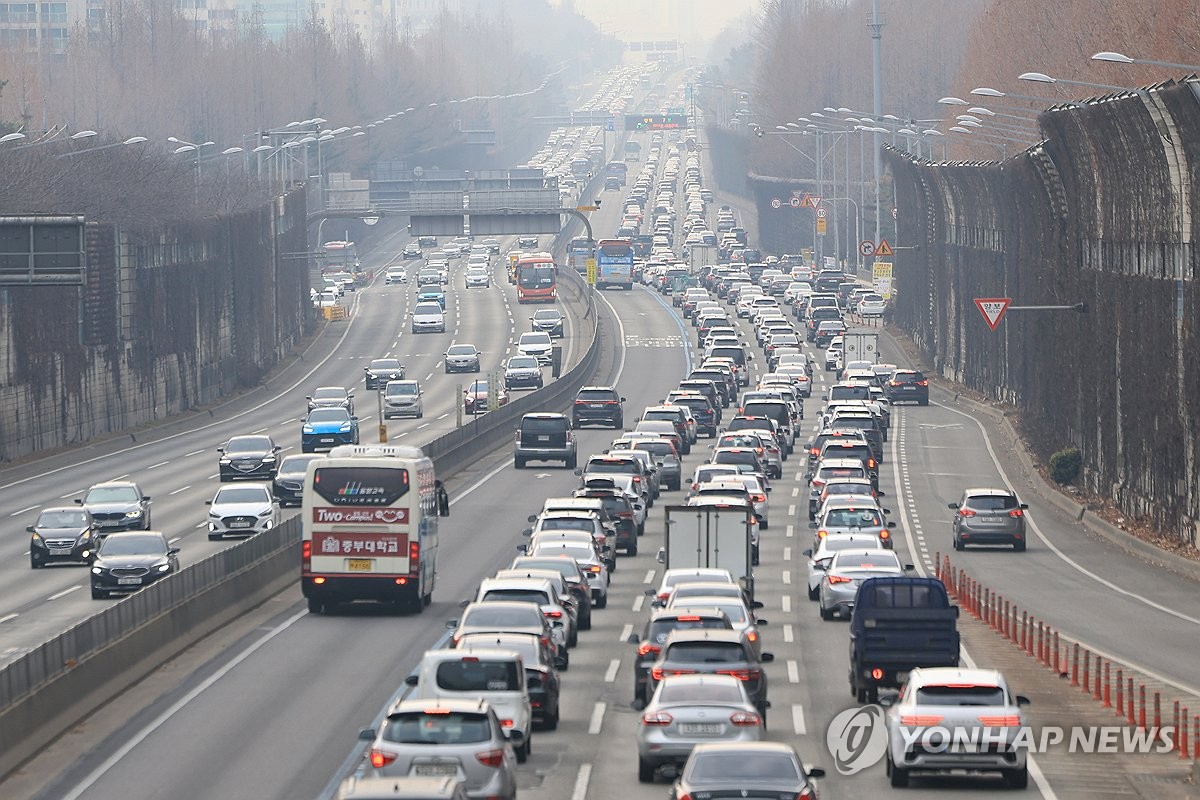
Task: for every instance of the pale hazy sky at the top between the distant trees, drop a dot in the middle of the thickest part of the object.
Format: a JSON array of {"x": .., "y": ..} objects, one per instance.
[{"x": 687, "y": 20}]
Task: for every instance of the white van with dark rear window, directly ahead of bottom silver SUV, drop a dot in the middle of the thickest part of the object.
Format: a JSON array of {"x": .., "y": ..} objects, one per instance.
[{"x": 481, "y": 673}]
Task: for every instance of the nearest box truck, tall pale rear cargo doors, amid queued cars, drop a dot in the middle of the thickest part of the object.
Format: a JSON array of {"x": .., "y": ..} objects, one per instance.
[{"x": 711, "y": 536}]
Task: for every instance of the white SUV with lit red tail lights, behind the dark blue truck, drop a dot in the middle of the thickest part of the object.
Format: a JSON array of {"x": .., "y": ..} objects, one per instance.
[{"x": 971, "y": 705}]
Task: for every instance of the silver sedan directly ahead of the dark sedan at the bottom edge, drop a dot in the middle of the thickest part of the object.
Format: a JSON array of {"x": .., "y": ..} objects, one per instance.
[{"x": 687, "y": 711}]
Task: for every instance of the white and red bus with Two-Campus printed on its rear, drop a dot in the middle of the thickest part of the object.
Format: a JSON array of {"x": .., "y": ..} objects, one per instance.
[{"x": 370, "y": 527}]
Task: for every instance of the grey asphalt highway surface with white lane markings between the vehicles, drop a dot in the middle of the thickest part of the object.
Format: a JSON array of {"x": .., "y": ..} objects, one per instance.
[{"x": 272, "y": 707}]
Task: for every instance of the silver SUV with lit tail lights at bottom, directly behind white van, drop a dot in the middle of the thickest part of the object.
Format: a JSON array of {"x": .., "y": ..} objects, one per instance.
[{"x": 446, "y": 738}]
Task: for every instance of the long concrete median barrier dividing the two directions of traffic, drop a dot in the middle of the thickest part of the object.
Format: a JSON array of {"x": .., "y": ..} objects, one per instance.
[{"x": 51, "y": 688}]
